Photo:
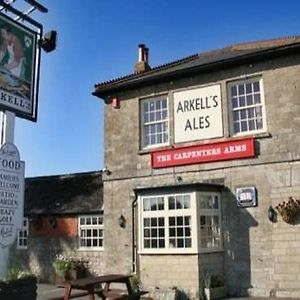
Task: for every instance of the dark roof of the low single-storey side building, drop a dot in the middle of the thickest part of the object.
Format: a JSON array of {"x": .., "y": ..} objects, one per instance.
[{"x": 64, "y": 194}]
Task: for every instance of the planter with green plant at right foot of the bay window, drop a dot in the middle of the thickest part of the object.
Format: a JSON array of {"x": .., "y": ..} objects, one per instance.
[{"x": 214, "y": 287}]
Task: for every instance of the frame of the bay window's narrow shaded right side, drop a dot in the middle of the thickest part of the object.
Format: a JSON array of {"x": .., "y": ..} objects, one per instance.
[{"x": 210, "y": 213}]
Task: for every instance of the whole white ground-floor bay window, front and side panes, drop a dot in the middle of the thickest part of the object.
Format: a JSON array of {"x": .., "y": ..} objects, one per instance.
[{"x": 179, "y": 222}]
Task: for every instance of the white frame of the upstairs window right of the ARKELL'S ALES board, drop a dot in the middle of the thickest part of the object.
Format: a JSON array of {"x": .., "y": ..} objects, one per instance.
[{"x": 247, "y": 107}]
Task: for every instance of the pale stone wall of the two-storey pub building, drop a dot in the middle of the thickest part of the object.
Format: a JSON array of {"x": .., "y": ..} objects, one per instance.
[{"x": 260, "y": 257}]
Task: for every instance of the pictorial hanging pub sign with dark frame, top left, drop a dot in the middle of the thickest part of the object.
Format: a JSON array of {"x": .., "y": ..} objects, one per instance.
[{"x": 19, "y": 68}]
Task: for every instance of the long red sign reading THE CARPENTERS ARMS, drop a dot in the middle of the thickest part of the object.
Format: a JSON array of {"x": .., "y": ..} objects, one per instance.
[{"x": 228, "y": 150}]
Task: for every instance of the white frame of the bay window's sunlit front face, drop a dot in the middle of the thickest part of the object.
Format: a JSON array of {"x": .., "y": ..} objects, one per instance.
[{"x": 166, "y": 214}]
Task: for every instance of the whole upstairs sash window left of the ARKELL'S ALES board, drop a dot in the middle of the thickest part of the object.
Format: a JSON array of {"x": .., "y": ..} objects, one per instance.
[{"x": 154, "y": 122}]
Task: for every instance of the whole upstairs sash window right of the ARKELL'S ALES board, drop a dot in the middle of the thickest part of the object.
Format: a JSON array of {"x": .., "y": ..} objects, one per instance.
[{"x": 246, "y": 101}]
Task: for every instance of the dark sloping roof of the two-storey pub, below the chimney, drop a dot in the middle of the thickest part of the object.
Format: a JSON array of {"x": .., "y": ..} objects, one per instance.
[{"x": 211, "y": 60}]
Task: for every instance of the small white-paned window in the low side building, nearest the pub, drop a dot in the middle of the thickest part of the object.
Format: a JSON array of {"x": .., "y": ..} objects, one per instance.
[{"x": 90, "y": 231}]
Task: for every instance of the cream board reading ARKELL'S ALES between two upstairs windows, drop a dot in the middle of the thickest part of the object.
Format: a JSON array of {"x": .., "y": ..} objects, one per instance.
[{"x": 198, "y": 114}]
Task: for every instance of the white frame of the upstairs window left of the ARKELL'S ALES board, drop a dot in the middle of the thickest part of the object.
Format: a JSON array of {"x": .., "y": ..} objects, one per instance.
[{"x": 143, "y": 123}]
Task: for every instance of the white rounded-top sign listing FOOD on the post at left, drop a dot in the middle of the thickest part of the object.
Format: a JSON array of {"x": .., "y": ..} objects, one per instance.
[{"x": 11, "y": 193}]
